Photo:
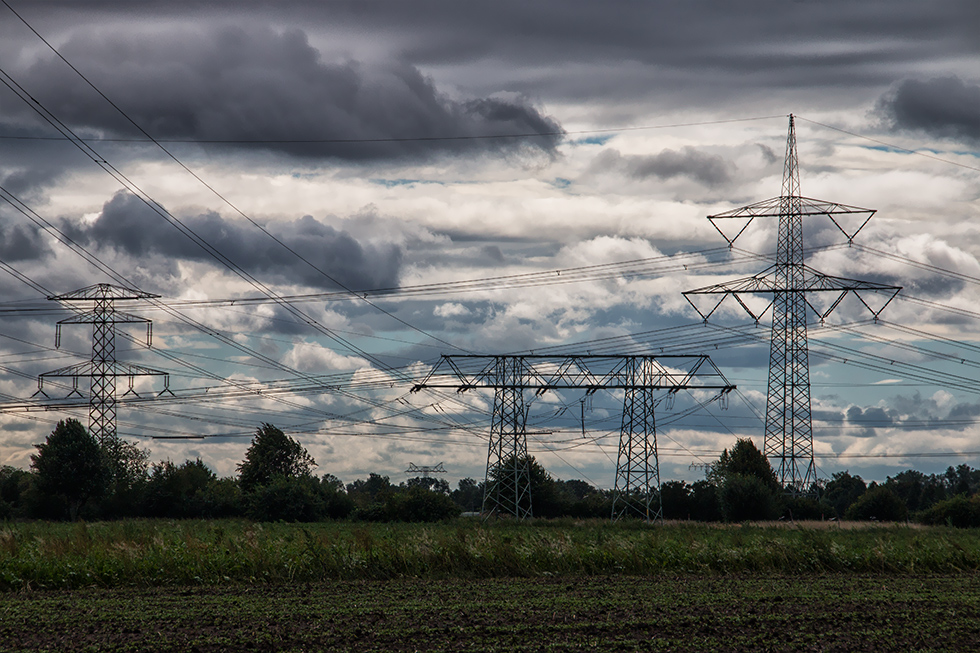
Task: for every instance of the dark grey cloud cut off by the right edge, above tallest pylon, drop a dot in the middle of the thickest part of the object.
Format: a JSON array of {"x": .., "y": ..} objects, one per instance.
[{"x": 946, "y": 107}]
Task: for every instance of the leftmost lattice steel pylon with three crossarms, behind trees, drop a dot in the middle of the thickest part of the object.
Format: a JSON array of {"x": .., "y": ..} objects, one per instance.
[{"x": 103, "y": 369}]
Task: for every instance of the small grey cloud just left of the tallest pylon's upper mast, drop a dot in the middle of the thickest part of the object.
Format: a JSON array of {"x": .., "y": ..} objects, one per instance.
[{"x": 709, "y": 169}]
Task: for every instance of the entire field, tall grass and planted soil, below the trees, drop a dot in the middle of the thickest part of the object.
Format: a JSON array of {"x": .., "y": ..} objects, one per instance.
[{"x": 467, "y": 586}]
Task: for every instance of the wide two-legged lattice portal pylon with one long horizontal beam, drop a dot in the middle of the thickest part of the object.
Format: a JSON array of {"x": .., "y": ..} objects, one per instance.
[{"x": 508, "y": 484}]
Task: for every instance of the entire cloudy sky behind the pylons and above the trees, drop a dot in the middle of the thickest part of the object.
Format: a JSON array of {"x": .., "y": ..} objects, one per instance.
[{"x": 396, "y": 149}]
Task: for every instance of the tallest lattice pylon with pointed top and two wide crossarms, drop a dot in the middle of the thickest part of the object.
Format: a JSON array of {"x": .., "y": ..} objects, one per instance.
[{"x": 789, "y": 431}]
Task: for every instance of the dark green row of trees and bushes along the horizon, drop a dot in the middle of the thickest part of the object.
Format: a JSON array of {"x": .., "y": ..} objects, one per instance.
[{"x": 73, "y": 477}]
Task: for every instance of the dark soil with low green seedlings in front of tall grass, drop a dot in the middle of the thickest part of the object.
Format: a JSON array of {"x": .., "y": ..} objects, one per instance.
[{"x": 682, "y": 613}]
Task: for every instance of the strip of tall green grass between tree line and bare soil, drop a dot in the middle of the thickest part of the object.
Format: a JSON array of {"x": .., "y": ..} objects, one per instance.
[{"x": 145, "y": 553}]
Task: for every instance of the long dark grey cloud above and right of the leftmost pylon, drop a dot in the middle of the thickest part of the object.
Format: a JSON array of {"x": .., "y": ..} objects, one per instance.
[{"x": 128, "y": 226}]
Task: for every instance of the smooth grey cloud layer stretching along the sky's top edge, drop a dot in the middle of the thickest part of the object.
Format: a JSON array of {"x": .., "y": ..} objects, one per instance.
[{"x": 665, "y": 53}]
